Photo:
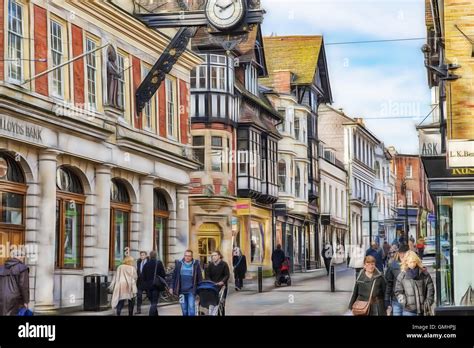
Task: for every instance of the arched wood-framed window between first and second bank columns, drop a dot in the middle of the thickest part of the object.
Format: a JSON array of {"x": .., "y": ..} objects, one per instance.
[{"x": 69, "y": 219}]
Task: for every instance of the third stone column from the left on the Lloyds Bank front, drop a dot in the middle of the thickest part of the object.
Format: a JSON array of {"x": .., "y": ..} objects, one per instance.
[{"x": 145, "y": 239}]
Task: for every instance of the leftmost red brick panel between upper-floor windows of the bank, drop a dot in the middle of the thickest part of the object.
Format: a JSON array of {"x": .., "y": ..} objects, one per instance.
[{"x": 41, "y": 49}]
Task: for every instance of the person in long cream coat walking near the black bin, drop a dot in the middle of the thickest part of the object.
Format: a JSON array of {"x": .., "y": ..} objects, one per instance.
[{"x": 124, "y": 286}]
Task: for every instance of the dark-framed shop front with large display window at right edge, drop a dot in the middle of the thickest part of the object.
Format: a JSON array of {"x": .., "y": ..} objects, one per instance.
[{"x": 453, "y": 193}]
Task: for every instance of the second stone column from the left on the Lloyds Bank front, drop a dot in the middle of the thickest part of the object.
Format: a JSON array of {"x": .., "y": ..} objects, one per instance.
[{"x": 102, "y": 227}]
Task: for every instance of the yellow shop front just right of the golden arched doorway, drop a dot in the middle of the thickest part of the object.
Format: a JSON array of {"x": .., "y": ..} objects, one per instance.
[{"x": 255, "y": 234}]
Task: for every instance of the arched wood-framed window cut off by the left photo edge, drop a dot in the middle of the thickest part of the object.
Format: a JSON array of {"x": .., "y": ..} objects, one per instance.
[{"x": 12, "y": 204}]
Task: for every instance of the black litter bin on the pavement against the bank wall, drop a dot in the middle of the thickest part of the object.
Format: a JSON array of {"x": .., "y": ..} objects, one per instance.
[{"x": 95, "y": 293}]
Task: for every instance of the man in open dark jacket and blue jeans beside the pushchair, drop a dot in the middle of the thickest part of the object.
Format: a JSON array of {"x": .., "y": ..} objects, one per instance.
[{"x": 187, "y": 275}]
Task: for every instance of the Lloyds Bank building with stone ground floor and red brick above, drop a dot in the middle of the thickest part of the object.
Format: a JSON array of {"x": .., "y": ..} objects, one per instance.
[{"x": 82, "y": 178}]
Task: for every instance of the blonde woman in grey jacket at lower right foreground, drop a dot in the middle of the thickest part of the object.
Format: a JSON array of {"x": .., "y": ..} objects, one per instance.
[{"x": 414, "y": 288}]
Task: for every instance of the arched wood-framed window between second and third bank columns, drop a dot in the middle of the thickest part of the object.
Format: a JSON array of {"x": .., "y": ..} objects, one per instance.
[{"x": 120, "y": 208}]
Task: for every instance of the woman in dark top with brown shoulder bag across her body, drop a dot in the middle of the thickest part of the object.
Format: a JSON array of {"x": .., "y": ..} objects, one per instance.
[{"x": 369, "y": 288}]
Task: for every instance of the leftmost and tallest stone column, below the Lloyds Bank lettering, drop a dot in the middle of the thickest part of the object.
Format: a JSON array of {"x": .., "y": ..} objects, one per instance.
[{"x": 47, "y": 232}]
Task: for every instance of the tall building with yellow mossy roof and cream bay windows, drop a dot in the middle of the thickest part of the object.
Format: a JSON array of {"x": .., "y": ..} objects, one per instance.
[{"x": 298, "y": 82}]
